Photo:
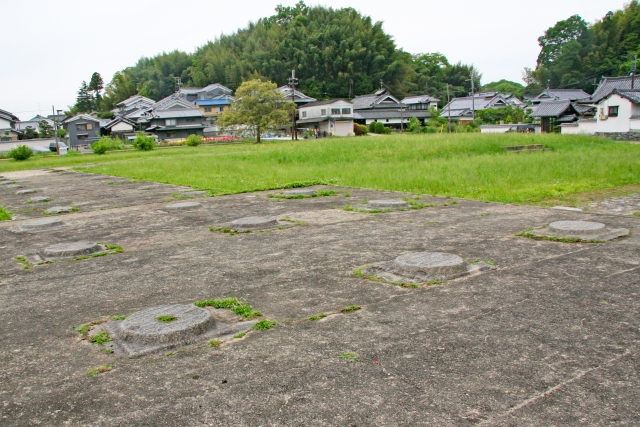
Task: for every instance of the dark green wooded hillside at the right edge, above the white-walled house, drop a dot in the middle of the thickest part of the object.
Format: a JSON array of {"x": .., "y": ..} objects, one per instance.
[{"x": 575, "y": 55}]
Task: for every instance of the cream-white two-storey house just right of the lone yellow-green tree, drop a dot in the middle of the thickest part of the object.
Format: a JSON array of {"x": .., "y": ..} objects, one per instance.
[{"x": 329, "y": 118}]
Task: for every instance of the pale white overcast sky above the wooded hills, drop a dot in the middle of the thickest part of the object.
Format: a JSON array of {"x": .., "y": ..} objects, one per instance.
[{"x": 51, "y": 46}]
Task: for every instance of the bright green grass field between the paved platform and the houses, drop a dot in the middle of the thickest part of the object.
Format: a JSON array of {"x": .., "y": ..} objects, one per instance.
[{"x": 461, "y": 165}]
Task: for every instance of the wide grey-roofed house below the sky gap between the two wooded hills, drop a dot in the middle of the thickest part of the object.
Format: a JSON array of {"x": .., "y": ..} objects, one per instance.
[{"x": 462, "y": 110}]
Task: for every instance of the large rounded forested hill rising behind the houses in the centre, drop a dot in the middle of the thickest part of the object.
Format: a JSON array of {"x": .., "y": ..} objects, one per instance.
[{"x": 335, "y": 52}]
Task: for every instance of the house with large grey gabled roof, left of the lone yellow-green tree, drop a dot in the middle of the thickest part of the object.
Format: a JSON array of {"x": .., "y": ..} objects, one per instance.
[{"x": 174, "y": 117}]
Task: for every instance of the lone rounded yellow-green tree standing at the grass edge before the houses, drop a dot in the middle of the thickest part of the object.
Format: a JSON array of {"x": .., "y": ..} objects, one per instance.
[{"x": 258, "y": 107}]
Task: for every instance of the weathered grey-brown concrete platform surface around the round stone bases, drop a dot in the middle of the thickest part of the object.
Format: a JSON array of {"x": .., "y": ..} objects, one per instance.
[{"x": 550, "y": 337}]
